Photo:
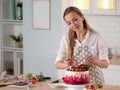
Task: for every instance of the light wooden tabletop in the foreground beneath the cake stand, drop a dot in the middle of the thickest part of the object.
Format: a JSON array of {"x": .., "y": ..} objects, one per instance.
[{"x": 44, "y": 86}]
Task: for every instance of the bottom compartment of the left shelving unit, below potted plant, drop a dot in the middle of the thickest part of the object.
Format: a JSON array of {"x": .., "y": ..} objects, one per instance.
[{"x": 12, "y": 61}]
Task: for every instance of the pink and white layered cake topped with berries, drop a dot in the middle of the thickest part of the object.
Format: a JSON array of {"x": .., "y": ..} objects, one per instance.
[{"x": 77, "y": 75}]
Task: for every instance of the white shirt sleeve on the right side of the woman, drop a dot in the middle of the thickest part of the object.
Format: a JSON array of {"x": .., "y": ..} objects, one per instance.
[{"x": 102, "y": 49}]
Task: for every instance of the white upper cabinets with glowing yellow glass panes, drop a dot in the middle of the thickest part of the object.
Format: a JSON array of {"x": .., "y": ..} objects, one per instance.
[{"x": 95, "y": 7}]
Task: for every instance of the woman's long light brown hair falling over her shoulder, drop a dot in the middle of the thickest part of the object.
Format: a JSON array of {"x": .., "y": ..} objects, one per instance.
[{"x": 72, "y": 34}]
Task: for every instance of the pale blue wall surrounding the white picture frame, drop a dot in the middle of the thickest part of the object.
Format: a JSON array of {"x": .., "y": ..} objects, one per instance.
[{"x": 40, "y": 46}]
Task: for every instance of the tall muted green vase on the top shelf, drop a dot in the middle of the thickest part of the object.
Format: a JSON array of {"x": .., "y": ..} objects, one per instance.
[{"x": 11, "y": 10}]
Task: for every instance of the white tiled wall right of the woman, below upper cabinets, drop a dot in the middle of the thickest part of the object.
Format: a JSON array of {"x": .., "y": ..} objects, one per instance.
[{"x": 109, "y": 27}]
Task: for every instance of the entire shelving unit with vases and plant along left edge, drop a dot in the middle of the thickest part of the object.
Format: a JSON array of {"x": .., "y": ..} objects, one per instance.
[{"x": 11, "y": 59}]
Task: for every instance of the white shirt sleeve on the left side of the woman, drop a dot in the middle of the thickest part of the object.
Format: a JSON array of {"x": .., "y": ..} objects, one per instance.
[{"x": 62, "y": 51}]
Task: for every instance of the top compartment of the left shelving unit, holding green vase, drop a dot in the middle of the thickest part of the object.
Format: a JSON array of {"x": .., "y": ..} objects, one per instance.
[{"x": 10, "y": 10}]
